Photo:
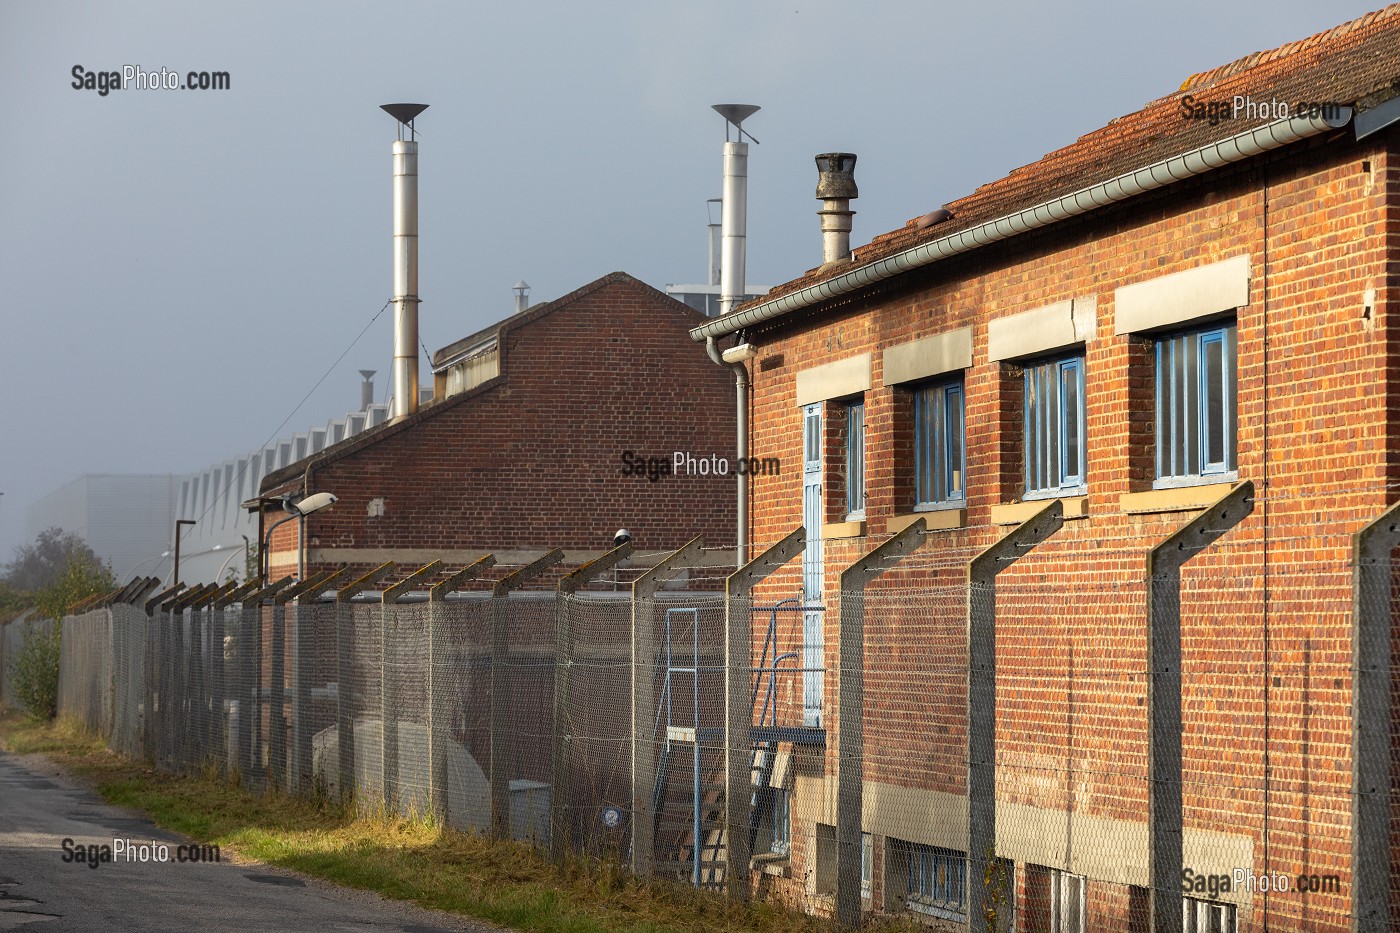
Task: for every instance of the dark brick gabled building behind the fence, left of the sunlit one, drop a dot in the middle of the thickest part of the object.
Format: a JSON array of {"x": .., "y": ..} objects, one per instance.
[{"x": 523, "y": 448}]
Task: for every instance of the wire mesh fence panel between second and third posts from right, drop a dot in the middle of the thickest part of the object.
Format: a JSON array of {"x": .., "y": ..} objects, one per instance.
[{"x": 1073, "y": 743}]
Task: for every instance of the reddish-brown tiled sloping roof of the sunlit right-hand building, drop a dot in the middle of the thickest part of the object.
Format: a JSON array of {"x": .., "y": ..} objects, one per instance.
[{"x": 1356, "y": 64}]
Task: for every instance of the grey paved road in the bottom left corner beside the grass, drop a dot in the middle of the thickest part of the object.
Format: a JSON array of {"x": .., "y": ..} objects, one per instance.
[{"x": 41, "y": 808}]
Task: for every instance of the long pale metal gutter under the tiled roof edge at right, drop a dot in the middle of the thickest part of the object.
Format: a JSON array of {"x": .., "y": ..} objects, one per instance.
[{"x": 1154, "y": 177}]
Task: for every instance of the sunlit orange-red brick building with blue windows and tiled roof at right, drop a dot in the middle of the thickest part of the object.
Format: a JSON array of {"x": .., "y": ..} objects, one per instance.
[{"x": 1136, "y": 326}]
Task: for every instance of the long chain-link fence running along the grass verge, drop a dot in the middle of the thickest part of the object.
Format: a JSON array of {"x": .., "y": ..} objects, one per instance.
[{"x": 1136, "y": 747}]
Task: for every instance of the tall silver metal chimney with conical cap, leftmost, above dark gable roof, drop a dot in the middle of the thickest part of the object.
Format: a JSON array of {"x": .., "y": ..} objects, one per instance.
[{"x": 405, "y": 376}]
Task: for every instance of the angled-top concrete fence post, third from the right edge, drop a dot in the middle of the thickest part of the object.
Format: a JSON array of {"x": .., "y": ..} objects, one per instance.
[{"x": 982, "y": 694}]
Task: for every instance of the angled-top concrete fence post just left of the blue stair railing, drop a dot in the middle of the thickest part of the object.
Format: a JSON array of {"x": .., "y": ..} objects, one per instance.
[{"x": 645, "y": 701}]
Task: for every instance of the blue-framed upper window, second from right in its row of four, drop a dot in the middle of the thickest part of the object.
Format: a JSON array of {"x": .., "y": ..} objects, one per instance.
[{"x": 1055, "y": 428}]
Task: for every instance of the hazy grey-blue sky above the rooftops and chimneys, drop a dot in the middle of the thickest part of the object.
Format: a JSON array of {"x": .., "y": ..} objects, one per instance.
[{"x": 184, "y": 270}]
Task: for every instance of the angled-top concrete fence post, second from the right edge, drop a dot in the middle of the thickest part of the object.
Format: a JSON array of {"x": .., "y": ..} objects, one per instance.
[{"x": 1164, "y": 701}]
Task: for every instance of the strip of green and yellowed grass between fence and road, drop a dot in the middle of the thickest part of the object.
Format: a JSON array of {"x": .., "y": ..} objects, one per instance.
[{"x": 408, "y": 859}]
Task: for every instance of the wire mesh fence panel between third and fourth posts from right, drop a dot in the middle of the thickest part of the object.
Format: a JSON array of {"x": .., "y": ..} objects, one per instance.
[{"x": 912, "y": 851}]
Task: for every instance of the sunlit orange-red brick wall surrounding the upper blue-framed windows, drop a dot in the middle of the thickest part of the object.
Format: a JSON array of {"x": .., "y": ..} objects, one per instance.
[{"x": 1266, "y": 614}]
